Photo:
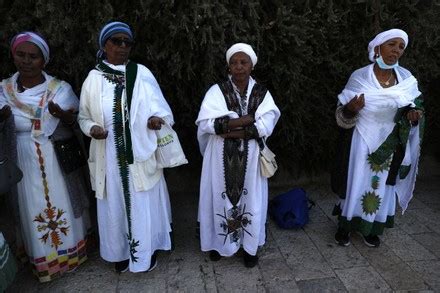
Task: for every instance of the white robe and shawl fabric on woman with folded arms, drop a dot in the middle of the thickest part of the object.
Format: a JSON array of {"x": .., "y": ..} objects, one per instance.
[{"x": 213, "y": 207}]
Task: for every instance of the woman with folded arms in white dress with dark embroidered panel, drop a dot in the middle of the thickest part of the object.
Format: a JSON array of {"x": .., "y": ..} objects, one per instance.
[{"x": 235, "y": 117}]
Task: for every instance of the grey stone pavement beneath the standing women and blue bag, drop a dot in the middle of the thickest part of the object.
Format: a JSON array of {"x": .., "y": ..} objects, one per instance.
[{"x": 304, "y": 260}]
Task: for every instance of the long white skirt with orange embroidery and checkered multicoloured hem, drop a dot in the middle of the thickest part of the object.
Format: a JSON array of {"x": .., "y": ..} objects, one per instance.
[{"x": 54, "y": 239}]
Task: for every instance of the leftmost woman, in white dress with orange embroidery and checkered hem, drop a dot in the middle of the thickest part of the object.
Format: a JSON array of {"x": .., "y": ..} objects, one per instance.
[{"x": 52, "y": 208}]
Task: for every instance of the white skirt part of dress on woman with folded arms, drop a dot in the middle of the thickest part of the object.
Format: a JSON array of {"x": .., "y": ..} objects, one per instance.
[{"x": 219, "y": 229}]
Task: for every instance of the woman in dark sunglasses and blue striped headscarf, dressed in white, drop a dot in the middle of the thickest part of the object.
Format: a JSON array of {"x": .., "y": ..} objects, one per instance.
[{"x": 121, "y": 105}]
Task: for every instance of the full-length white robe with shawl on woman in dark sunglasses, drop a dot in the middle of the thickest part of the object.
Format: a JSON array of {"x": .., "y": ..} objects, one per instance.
[{"x": 150, "y": 209}]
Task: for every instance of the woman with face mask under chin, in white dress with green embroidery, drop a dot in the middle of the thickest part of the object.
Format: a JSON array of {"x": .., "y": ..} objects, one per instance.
[{"x": 380, "y": 113}]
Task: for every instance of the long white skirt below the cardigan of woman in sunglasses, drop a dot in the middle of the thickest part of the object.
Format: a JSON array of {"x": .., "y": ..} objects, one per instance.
[{"x": 150, "y": 217}]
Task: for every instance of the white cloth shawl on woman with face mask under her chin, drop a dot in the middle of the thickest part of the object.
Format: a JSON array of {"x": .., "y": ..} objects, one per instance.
[{"x": 376, "y": 119}]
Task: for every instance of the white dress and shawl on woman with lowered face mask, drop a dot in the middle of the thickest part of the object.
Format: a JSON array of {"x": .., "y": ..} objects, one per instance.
[{"x": 375, "y": 123}]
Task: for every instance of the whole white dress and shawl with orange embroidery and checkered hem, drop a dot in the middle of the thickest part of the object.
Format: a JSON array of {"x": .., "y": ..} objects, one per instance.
[{"x": 32, "y": 200}]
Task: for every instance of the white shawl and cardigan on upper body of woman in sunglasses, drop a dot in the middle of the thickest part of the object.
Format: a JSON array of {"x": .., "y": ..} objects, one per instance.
[{"x": 147, "y": 101}]
